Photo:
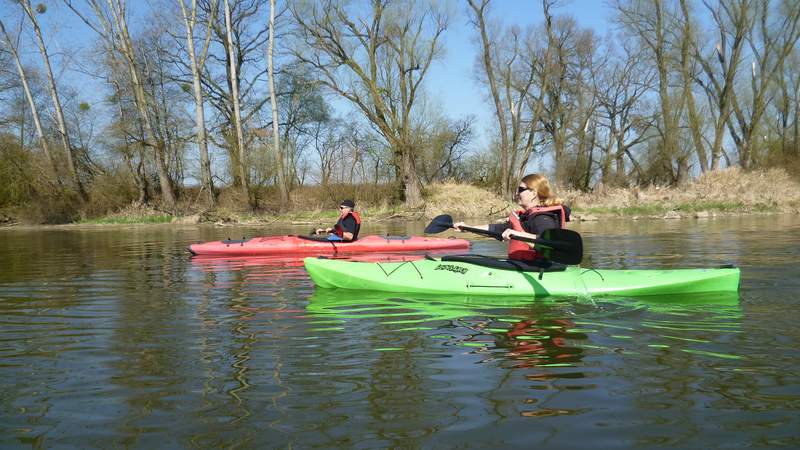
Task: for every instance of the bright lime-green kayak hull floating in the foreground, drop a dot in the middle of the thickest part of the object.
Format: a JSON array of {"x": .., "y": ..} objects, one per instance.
[{"x": 452, "y": 277}]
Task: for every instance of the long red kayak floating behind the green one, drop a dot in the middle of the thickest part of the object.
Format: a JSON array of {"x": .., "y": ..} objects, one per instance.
[{"x": 288, "y": 245}]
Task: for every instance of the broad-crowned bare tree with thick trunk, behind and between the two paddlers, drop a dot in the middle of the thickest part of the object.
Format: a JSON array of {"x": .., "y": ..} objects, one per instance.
[{"x": 378, "y": 63}]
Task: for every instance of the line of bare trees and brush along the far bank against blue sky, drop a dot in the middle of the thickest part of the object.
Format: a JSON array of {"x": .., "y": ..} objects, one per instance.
[{"x": 210, "y": 101}]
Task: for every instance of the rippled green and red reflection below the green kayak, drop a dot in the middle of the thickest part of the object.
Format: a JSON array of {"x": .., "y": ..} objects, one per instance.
[{"x": 549, "y": 332}]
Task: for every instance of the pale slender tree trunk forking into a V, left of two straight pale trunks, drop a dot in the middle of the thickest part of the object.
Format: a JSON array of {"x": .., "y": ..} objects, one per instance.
[{"x": 196, "y": 63}]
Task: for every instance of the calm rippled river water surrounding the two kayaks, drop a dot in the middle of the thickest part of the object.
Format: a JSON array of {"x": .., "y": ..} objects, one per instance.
[{"x": 115, "y": 337}]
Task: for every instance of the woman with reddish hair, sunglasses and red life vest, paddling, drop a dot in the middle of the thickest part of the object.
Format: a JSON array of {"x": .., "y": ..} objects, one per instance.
[{"x": 541, "y": 210}]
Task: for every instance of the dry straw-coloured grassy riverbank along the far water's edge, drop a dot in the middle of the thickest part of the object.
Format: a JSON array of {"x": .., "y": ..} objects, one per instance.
[{"x": 724, "y": 192}]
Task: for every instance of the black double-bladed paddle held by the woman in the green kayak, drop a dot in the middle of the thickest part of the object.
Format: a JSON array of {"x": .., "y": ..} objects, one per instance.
[{"x": 557, "y": 244}]
